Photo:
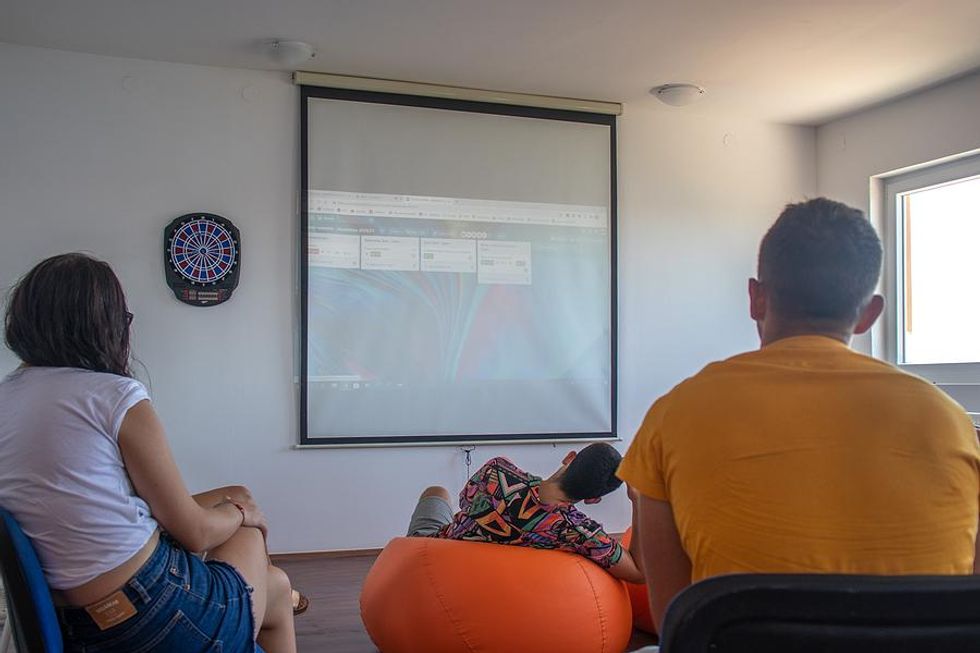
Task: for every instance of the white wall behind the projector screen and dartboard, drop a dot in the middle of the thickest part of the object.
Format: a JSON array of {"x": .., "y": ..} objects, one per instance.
[{"x": 99, "y": 154}]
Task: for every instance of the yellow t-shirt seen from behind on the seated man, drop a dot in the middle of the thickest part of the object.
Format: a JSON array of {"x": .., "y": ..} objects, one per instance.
[{"x": 805, "y": 456}]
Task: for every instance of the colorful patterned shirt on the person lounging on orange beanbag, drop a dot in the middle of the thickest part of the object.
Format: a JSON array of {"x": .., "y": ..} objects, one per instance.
[{"x": 500, "y": 504}]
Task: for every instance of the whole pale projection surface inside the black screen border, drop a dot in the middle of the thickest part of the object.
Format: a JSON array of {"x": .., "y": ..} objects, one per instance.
[{"x": 458, "y": 275}]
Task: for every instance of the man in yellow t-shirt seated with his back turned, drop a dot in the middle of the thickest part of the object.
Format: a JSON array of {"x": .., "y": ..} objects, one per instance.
[{"x": 805, "y": 456}]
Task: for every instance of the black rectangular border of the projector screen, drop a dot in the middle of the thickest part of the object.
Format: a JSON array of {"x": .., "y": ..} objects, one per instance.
[{"x": 308, "y": 93}]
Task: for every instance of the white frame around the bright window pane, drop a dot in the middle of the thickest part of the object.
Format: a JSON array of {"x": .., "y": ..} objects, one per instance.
[{"x": 896, "y": 184}]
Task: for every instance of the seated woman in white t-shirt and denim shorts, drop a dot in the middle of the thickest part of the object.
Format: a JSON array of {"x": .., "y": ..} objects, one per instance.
[{"x": 88, "y": 474}]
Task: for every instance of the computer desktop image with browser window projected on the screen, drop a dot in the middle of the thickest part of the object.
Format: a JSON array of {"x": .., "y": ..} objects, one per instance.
[{"x": 456, "y": 316}]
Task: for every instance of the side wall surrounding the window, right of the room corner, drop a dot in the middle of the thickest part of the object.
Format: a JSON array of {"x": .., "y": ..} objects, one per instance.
[{"x": 937, "y": 123}]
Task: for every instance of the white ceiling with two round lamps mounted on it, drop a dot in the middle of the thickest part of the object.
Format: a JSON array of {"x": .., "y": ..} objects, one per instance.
[{"x": 796, "y": 61}]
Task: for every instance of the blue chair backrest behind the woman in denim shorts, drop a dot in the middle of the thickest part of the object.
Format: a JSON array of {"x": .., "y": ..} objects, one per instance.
[{"x": 29, "y": 608}]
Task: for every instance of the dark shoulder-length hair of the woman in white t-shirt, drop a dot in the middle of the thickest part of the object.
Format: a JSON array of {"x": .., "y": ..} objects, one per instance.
[{"x": 70, "y": 311}]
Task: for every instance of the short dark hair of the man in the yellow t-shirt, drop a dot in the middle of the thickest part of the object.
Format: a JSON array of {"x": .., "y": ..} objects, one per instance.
[{"x": 821, "y": 261}]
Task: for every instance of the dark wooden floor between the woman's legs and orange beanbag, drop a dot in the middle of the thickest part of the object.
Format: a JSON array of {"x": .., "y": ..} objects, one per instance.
[{"x": 333, "y": 622}]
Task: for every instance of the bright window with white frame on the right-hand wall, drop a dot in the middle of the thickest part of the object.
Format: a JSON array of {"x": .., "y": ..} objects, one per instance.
[{"x": 933, "y": 224}]
